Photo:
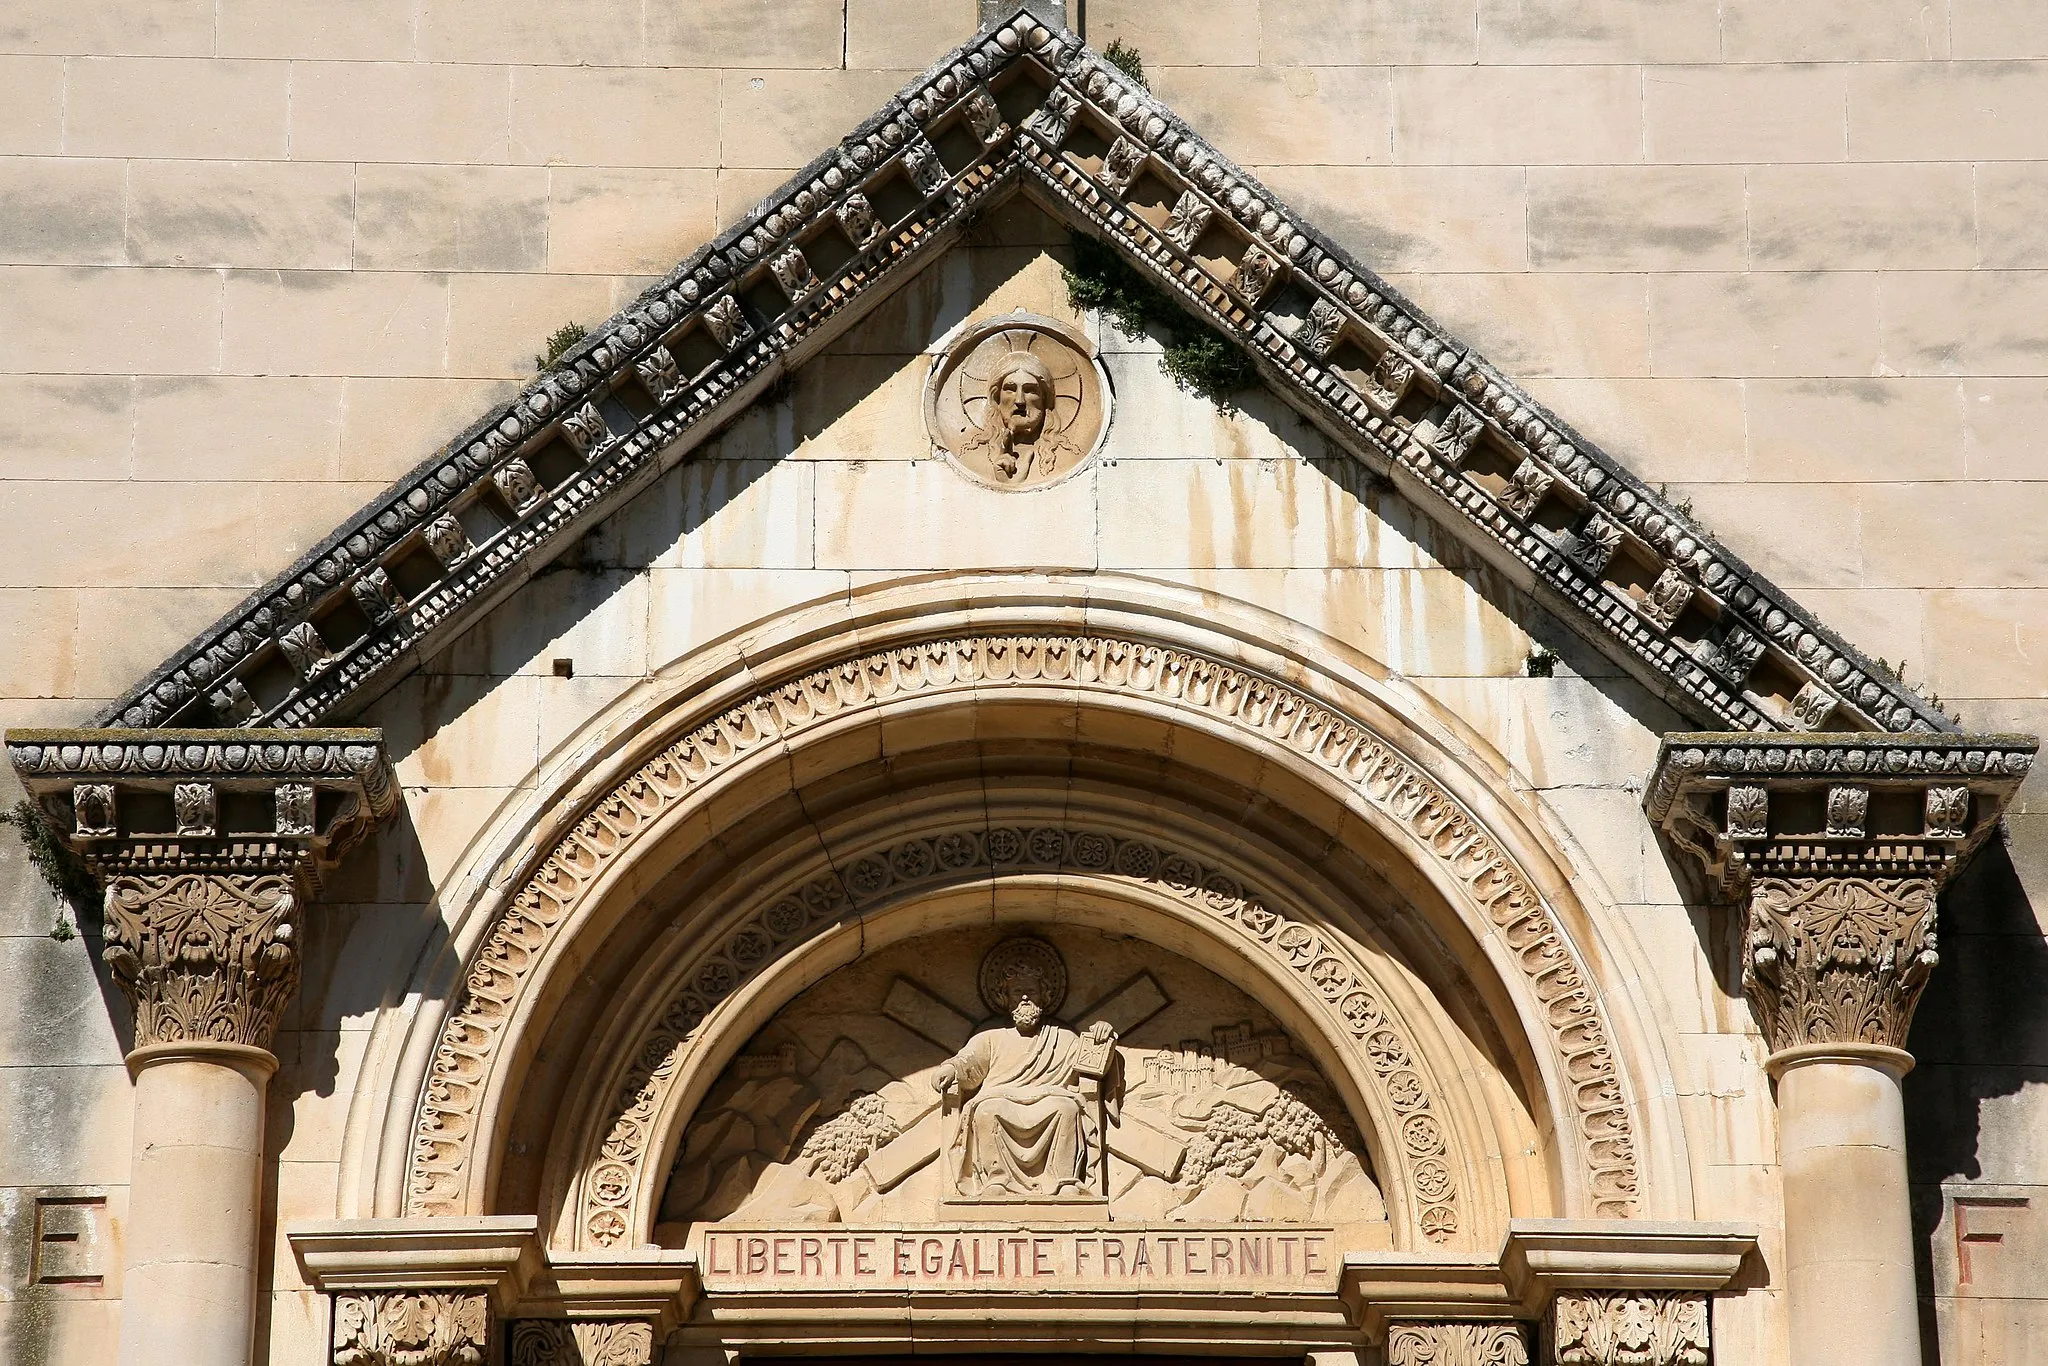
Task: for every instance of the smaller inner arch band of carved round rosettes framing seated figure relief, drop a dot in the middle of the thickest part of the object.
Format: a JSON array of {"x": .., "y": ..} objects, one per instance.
[{"x": 617, "y": 1179}]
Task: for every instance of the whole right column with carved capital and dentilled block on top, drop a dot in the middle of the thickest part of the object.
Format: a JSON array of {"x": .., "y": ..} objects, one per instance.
[{"x": 1836, "y": 849}]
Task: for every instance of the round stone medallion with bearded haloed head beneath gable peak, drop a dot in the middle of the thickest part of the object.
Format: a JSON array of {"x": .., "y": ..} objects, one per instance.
[{"x": 1019, "y": 402}]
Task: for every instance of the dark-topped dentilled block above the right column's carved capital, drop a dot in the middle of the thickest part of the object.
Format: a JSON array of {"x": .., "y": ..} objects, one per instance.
[{"x": 1834, "y": 804}]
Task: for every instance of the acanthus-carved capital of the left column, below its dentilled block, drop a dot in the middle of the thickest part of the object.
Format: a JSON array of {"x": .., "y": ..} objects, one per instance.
[{"x": 206, "y": 957}]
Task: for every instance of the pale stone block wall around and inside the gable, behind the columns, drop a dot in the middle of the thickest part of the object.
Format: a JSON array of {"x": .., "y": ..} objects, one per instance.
[{"x": 259, "y": 259}]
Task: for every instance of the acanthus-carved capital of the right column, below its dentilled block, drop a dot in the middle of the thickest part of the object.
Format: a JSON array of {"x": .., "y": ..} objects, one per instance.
[{"x": 1838, "y": 959}]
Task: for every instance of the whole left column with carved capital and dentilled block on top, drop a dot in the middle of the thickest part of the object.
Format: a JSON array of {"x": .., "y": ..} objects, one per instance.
[{"x": 210, "y": 849}]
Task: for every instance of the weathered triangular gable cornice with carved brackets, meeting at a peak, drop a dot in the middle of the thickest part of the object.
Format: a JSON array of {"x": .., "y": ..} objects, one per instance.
[{"x": 1027, "y": 108}]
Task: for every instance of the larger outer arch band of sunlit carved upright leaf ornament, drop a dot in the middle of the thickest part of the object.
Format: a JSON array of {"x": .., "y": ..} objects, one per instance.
[{"x": 445, "y": 1160}]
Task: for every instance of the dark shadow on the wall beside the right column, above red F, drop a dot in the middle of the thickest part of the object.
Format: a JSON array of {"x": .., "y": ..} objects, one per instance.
[{"x": 1979, "y": 1037}]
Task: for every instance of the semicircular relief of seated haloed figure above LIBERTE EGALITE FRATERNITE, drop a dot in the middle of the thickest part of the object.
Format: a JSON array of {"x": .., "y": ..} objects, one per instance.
[{"x": 1002, "y": 1076}]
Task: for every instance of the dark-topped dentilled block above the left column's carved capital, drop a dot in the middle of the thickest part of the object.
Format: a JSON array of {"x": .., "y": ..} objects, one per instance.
[{"x": 196, "y": 802}]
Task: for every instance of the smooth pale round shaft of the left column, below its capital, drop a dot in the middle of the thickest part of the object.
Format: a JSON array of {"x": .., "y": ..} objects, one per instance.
[{"x": 196, "y": 1205}]
